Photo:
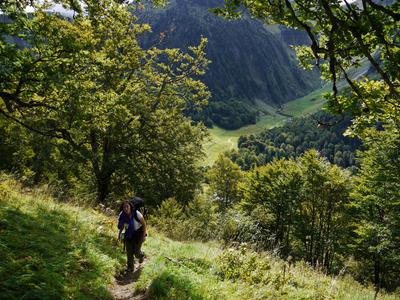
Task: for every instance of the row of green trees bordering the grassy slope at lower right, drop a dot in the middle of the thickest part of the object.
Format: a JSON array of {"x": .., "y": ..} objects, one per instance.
[{"x": 309, "y": 209}]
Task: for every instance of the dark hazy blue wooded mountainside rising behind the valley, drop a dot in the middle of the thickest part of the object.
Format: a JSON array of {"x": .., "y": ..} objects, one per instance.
[{"x": 251, "y": 63}]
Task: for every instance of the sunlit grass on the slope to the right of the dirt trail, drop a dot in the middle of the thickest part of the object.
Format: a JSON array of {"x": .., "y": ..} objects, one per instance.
[{"x": 193, "y": 270}]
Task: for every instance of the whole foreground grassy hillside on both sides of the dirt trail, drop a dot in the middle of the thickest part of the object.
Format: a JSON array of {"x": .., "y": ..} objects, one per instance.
[{"x": 52, "y": 250}]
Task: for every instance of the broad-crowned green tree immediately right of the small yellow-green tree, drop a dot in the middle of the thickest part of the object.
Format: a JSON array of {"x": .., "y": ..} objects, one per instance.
[{"x": 274, "y": 189}]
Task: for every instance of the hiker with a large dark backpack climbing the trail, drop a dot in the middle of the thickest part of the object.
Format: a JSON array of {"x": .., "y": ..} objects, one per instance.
[{"x": 133, "y": 222}]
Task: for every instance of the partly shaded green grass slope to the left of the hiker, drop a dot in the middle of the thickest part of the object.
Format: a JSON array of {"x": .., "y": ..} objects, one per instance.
[{"x": 51, "y": 250}]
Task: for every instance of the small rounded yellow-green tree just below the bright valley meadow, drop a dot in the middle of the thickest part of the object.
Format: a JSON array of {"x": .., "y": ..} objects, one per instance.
[{"x": 224, "y": 178}]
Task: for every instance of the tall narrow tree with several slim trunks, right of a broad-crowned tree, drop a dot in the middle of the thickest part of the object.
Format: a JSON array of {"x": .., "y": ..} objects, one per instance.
[{"x": 322, "y": 219}]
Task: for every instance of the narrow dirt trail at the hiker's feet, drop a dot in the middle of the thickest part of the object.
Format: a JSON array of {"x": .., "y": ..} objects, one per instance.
[{"x": 123, "y": 287}]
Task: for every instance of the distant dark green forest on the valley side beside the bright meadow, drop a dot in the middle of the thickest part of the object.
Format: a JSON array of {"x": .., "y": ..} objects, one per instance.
[{"x": 320, "y": 131}]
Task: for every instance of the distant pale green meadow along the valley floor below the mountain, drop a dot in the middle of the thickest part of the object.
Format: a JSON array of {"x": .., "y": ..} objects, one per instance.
[{"x": 222, "y": 140}]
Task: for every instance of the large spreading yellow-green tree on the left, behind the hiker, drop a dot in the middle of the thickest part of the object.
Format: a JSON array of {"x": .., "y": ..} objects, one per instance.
[{"x": 87, "y": 83}]
